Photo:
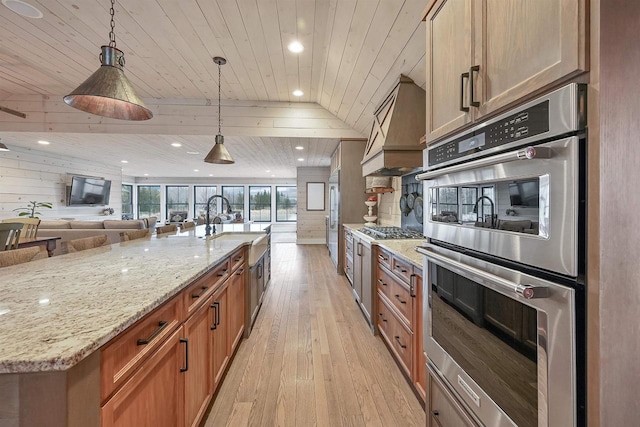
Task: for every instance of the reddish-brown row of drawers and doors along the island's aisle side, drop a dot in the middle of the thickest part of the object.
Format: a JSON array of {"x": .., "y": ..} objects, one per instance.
[{"x": 164, "y": 370}]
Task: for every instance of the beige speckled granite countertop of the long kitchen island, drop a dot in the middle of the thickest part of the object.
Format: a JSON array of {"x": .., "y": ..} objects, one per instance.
[{"x": 54, "y": 312}]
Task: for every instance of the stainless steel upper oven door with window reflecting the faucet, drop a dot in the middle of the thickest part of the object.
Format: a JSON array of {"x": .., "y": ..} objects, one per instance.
[{"x": 517, "y": 208}]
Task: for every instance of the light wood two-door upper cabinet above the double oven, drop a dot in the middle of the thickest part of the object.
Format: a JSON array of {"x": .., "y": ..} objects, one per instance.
[{"x": 485, "y": 55}]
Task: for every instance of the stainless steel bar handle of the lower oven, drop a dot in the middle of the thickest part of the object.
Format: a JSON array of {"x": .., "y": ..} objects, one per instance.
[{"x": 526, "y": 291}]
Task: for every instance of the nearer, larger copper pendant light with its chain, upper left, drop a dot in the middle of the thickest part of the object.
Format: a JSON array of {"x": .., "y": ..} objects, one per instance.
[{"x": 107, "y": 92}]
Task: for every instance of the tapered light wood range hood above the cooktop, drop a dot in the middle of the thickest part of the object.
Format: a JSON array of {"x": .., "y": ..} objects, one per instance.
[{"x": 394, "y": 148}]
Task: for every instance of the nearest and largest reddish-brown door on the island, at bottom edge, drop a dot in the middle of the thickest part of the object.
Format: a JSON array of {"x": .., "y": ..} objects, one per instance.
[{"x": 154, "y": 395}]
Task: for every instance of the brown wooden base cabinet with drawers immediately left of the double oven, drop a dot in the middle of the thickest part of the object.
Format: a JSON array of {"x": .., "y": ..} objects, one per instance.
[{"x": 399, "y": 314}]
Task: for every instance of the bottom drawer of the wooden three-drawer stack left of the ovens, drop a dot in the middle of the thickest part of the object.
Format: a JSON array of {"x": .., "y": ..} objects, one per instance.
[{"x": 398, "y": 337}]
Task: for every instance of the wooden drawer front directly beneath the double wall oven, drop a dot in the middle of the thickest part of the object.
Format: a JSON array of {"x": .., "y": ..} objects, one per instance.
[{"x": 444, "y": 410}]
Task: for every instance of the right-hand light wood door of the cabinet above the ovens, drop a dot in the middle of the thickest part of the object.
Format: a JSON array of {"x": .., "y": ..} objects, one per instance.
[{"x": 526, "y": 45}]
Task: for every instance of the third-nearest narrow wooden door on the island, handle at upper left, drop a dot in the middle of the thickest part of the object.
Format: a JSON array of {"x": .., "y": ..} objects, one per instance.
[{"x": 218, "y": 325}]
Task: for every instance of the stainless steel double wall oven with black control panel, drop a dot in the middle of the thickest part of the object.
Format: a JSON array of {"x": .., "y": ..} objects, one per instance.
[{"x": 505, "y": 262}]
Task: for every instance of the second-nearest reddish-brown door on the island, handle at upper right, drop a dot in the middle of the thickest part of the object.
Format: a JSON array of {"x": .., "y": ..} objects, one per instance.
[{"x": 198, "y": 378}]
